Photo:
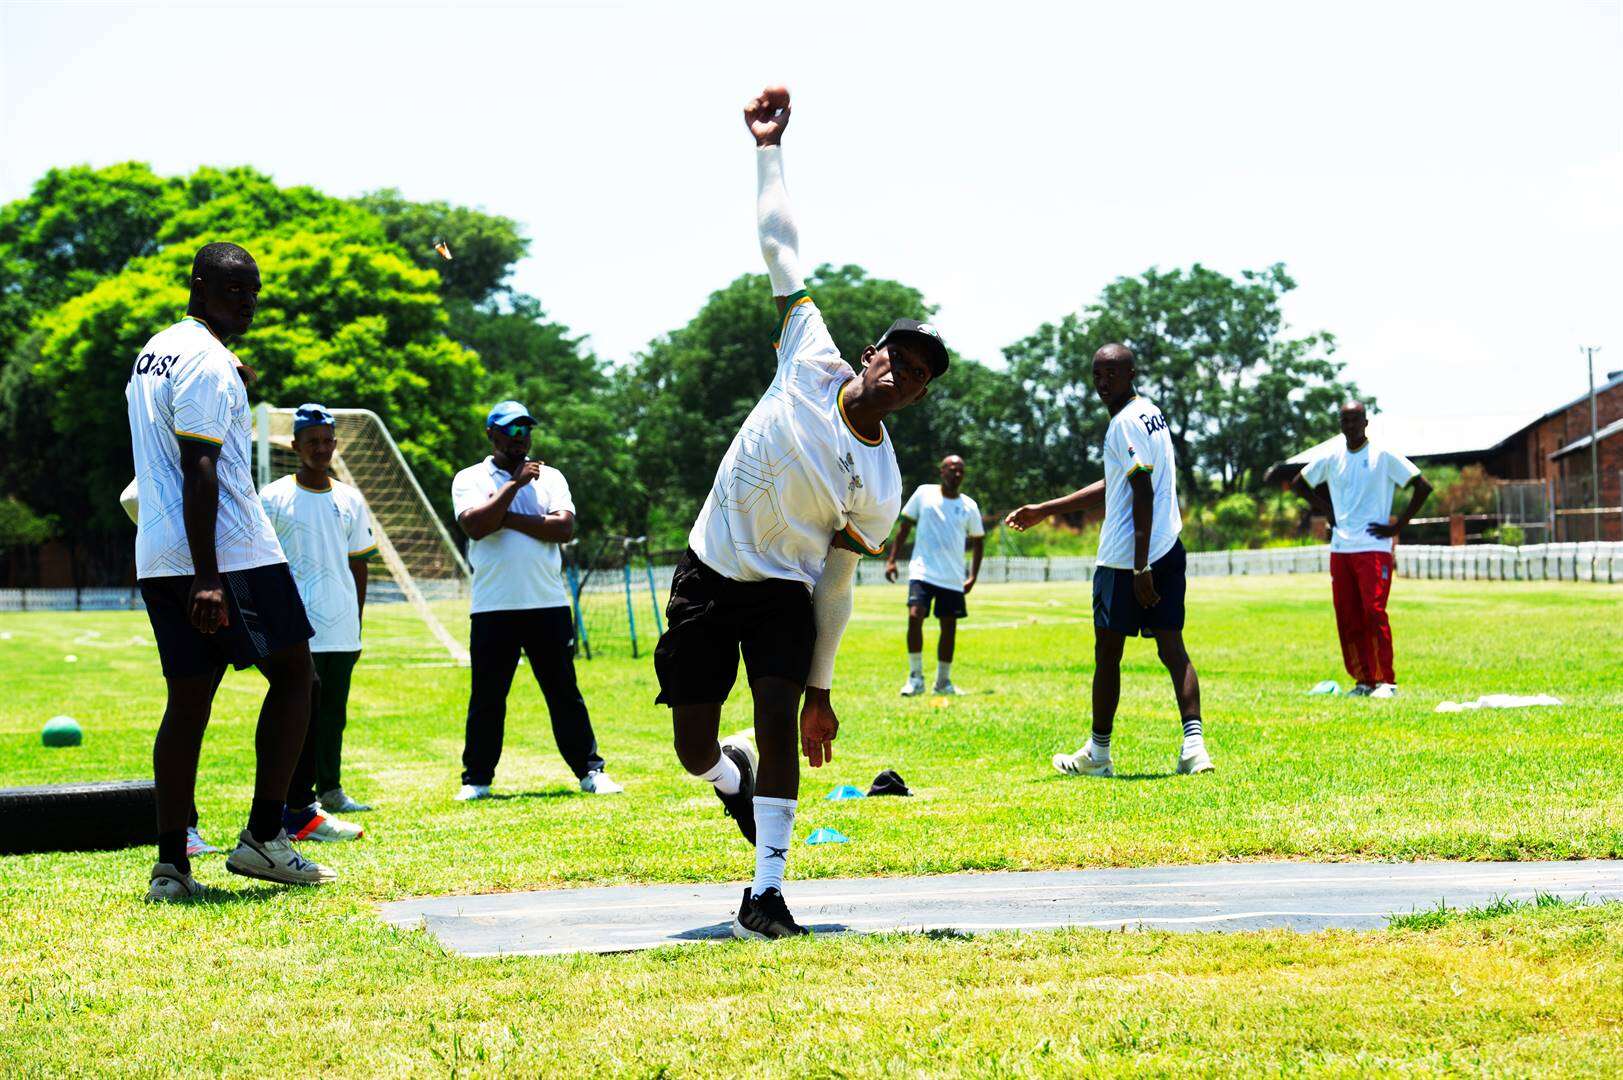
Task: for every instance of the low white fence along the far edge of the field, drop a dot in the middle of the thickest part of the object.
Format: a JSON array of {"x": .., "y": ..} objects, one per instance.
[{"x": 1478, "y": 563}]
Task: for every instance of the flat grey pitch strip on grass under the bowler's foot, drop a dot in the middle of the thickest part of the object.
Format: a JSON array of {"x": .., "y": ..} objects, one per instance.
[{"x": 1213, "y": 897}]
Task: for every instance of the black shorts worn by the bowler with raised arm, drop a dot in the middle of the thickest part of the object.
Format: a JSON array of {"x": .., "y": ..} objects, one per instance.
[{"x": 712, "y": 620}]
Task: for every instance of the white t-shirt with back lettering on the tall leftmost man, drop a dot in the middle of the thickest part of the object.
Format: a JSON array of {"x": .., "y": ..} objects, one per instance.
[{"x": 186, "y": 386}]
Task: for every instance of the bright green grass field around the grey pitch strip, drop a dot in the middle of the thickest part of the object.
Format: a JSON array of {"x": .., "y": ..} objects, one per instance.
[{"x": 269, "y": 982}]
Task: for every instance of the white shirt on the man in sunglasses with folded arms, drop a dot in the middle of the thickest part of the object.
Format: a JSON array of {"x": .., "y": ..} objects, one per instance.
[{"x": 514, "y": 572}]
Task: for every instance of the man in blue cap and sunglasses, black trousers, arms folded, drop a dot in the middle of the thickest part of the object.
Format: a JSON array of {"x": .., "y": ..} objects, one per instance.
[{"x": 517, "y": 514}]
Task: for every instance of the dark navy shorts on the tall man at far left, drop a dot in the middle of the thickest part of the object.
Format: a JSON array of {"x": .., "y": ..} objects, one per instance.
[{"x": 267, "y": 616}]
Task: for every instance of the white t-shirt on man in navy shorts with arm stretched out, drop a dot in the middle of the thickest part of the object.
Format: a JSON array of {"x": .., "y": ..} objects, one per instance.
[{"x": 1139, "y": 443}]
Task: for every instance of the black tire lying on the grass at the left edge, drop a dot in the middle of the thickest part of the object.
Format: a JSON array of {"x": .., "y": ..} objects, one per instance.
[{"x": 79, "y": 818}]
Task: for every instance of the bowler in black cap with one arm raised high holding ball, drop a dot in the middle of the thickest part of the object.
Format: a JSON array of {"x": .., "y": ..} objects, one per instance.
[{"x": 807, "y": 486}]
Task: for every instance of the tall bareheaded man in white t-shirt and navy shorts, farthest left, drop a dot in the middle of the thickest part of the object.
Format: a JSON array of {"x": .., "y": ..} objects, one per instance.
[{"x": 213, "y": 577}]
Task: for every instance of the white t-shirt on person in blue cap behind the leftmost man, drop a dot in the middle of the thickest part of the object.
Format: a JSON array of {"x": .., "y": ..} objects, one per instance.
[{"x": 322, "y": 532}]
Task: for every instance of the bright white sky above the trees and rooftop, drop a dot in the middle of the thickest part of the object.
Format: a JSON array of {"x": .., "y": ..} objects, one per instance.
[{"x": 1445, "y": 181}]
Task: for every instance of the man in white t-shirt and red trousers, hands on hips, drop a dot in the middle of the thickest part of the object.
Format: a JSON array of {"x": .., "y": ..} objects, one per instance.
[{"x": 1361, "y": 482}]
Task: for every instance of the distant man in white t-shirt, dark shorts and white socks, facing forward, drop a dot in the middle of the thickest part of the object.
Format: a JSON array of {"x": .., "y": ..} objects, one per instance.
[{"x": 947, "y": 522}]
